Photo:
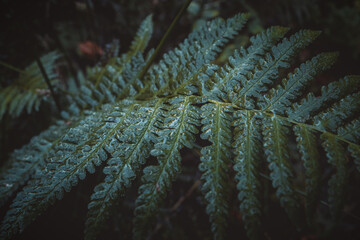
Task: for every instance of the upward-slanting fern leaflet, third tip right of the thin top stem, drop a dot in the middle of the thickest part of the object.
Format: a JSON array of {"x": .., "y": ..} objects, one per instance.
[{"x": 268, "y": 67}]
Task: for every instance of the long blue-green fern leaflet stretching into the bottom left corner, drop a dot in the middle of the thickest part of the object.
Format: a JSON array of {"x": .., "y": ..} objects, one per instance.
[{"x": 80, "y": 150}]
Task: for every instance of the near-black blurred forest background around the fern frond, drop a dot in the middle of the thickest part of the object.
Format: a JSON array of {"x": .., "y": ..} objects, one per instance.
[{"x": 30, "y": 29}]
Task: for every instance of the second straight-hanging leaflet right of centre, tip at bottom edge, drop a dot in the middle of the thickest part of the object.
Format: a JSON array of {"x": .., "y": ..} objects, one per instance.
[{"x": 247, "y": 160}]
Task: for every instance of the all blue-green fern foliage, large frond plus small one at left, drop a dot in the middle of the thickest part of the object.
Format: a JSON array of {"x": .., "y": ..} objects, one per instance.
[{"x": 250, "y": 119}]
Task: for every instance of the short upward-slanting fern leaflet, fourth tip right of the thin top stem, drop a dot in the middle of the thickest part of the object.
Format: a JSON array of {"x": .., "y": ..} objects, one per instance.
[{"x": 278, "y": 98}]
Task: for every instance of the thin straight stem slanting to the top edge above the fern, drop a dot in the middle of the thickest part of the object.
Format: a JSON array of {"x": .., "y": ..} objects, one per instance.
[{"x": 164, "y": 38}]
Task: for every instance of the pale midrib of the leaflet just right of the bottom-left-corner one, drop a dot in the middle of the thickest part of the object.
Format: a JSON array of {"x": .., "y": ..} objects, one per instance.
[{"x": 150, "y": 123}]
